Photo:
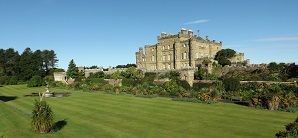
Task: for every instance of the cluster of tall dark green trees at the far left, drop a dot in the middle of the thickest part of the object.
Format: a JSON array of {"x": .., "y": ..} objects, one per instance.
[{"x": 15, "y": 67}]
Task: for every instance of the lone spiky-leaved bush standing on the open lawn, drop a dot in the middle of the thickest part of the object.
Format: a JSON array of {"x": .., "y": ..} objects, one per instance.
[{"x": 42, "y": 117}]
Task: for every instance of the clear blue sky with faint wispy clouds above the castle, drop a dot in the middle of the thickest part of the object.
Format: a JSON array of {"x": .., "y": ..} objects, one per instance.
[{"x": 109, "y": 32}]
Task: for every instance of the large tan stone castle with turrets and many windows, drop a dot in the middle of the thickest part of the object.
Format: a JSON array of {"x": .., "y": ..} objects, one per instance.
[{"x": 181, "y": 51}]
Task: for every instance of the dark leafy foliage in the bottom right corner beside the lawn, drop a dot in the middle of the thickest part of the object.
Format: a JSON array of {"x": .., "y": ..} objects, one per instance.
[{"x": 291, "y": 130}]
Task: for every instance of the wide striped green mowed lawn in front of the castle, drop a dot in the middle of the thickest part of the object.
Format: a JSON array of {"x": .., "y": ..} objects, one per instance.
[{"x": 106, "y": 115}]
